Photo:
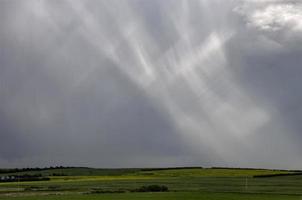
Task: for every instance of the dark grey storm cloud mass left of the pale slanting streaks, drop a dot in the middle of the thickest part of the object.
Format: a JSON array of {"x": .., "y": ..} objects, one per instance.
[{"x": 61, "y": 99}]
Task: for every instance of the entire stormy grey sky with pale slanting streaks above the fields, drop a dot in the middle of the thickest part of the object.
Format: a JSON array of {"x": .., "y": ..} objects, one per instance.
[{"x": 139, "y": 83}]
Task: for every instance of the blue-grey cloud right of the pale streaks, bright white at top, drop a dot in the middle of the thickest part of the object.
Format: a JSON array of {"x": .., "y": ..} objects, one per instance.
[{"x": 266, "y": 59}]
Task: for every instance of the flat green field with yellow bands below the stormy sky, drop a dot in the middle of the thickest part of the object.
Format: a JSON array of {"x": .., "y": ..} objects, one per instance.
[{"x": 188, "y": 183}]
